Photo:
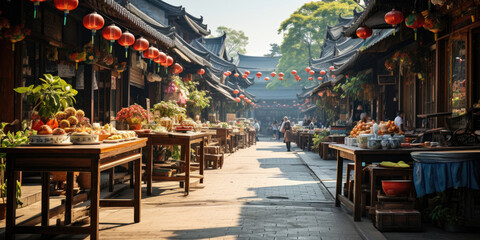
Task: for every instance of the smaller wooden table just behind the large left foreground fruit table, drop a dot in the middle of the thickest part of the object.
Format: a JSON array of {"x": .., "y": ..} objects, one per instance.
[{"x": 184, "y": 140}]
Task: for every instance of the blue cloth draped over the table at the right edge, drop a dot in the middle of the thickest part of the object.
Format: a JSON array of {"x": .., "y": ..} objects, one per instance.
[{"x": 436, "y": 172}]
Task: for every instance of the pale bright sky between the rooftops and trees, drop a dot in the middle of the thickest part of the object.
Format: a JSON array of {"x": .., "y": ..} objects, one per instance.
[{"x": 259, "y": 19}]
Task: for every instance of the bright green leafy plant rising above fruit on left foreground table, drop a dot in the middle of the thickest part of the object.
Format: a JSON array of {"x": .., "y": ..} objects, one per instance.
[{"x": 50, "y": 97}]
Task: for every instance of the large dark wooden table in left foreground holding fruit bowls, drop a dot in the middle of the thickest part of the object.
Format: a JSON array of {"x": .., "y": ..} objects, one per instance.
[{"x": 71, "y": 158}]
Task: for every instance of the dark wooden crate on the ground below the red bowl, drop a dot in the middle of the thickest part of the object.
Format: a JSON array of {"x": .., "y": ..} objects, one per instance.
[{"x": 398, "y": 220}]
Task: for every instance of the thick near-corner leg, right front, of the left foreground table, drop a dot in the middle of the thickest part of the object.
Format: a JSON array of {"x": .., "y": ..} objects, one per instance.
[{"x": 95, "y": 201}]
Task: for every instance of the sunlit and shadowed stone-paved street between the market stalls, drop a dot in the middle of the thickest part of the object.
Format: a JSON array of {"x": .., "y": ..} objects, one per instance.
[{"x": 262, "y": 192}]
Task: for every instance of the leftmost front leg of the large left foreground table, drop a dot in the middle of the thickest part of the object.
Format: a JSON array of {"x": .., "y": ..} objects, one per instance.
[{"x": 11, "y": 203}]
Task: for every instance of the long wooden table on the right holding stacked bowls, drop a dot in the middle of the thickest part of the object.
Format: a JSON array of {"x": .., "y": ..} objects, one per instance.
[{"x": 360, "y": 156}]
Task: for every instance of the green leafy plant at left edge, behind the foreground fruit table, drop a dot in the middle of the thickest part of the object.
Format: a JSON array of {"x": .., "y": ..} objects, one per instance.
[{"x": 8, "y": 139}]
